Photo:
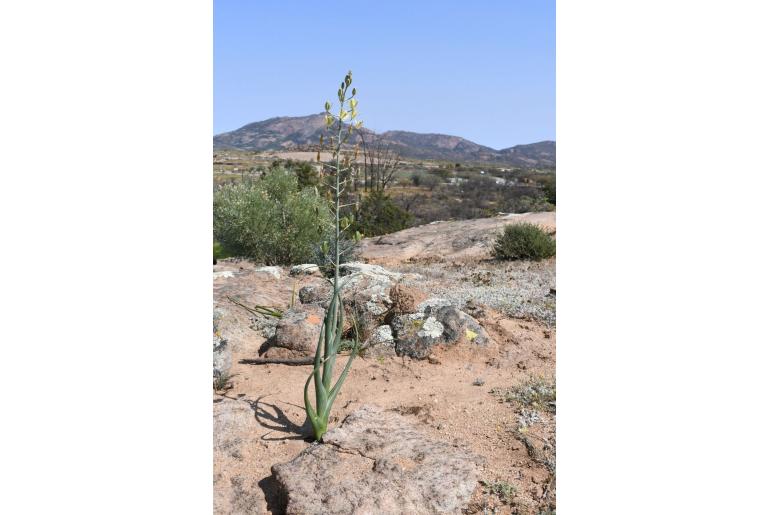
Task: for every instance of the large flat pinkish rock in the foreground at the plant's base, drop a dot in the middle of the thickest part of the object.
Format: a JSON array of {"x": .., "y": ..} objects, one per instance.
[{"x": 377, "y": 462}]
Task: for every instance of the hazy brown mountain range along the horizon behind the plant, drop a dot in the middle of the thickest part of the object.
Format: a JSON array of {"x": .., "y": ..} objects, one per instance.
[{"x": 303, "y": 132}]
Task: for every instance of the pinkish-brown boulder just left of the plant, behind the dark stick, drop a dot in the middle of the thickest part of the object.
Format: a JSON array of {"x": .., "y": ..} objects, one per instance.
[{"x": 298, "y": 330}]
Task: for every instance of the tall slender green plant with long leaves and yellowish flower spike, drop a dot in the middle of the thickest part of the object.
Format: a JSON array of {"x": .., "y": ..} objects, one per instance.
[{"x": 339, "y": 128}]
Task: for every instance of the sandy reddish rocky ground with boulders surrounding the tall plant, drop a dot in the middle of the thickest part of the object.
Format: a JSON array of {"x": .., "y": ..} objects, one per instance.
[{"x": 461, "y": 350}]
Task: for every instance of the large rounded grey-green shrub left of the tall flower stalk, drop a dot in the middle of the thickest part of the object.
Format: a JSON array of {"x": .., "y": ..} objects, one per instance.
[{"x": 269, "y": 220}]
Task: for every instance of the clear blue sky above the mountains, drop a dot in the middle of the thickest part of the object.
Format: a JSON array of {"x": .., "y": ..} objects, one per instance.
[{"x": 481, "y": 70}]
